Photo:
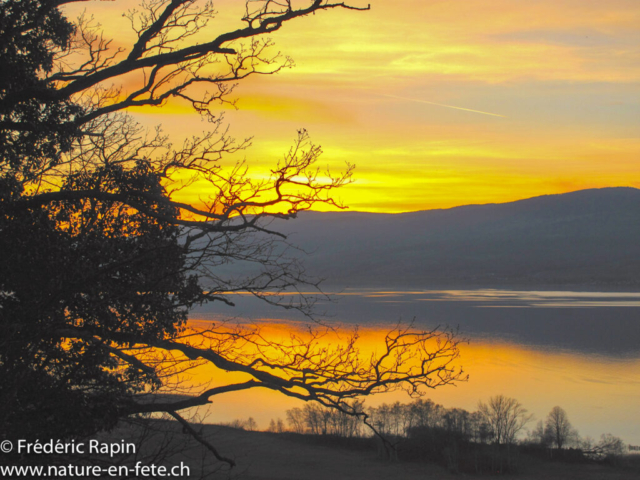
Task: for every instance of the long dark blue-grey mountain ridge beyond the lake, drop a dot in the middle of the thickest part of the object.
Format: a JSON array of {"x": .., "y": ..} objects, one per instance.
[{"x": 589, "y": 237}]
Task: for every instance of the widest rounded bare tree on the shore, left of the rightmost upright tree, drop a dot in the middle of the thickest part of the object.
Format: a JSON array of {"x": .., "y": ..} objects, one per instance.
[{"x": 506, "y": 416}]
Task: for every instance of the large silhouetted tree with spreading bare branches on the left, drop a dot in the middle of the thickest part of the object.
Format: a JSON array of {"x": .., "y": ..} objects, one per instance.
[{"x": 101, "y": 263}]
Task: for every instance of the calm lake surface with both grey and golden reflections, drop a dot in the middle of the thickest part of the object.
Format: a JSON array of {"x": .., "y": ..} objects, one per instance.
[{"x": 579, "y": 350}]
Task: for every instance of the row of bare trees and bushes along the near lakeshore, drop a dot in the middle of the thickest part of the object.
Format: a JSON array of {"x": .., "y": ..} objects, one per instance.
[{"x": 489, "y": 440}]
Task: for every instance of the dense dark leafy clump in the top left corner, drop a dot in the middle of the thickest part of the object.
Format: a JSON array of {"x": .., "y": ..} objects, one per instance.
[{"x": 34, "y": 127}]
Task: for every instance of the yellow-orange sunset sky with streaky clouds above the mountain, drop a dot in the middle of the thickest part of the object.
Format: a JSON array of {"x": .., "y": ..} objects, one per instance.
[{"x": 442, "y": 103}]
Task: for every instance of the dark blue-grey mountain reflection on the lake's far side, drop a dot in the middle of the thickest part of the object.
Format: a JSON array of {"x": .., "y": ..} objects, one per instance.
[{"x": 603, "y": 323}]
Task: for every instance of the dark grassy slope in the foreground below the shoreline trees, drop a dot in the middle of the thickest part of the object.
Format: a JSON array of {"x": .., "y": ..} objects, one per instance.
[{"x": 266, "y": 456}]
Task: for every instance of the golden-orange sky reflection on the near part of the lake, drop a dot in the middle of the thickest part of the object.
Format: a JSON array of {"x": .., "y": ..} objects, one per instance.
[{"x": 600, "y": 394}]
